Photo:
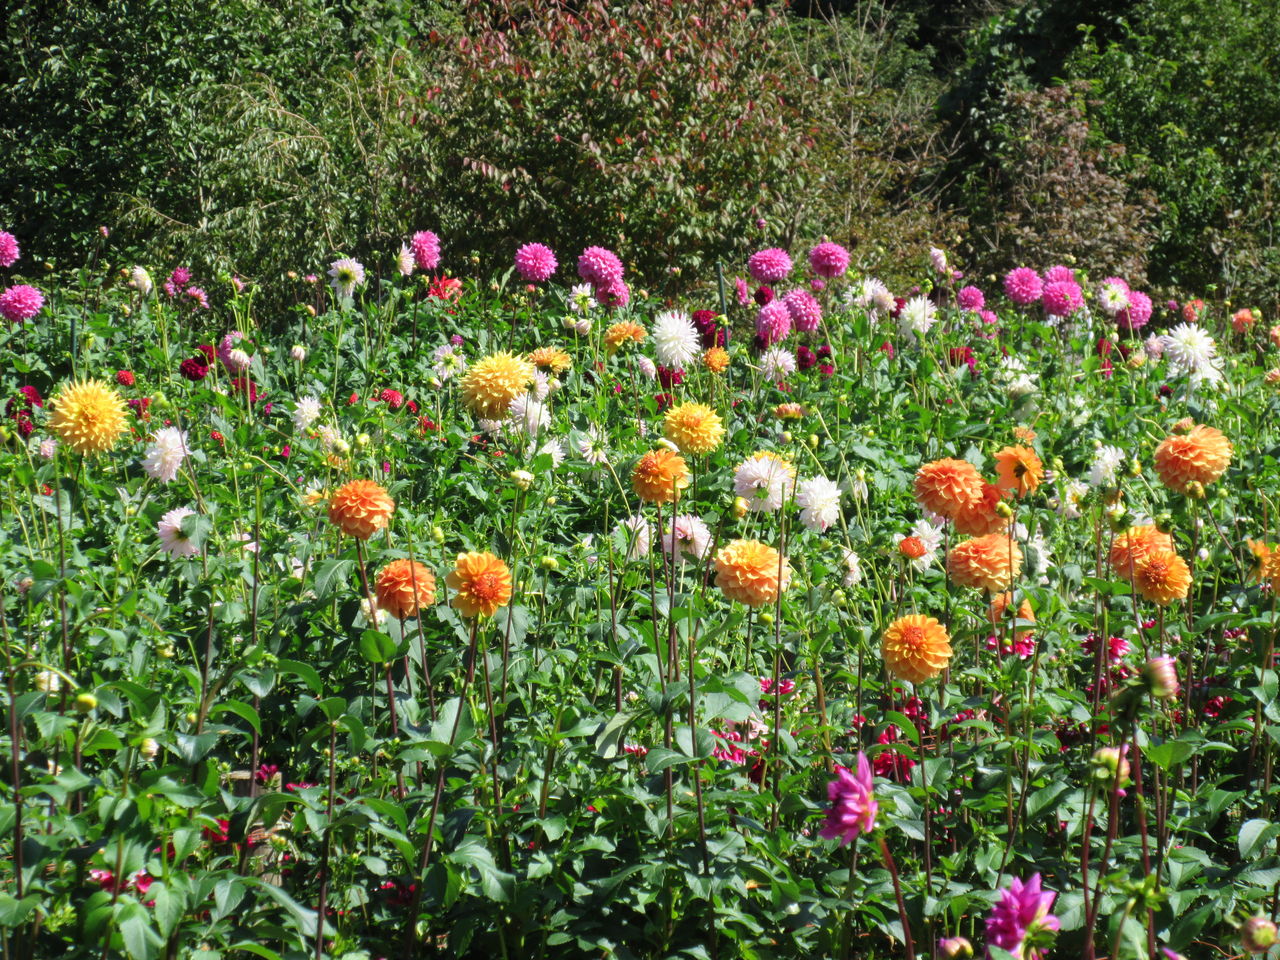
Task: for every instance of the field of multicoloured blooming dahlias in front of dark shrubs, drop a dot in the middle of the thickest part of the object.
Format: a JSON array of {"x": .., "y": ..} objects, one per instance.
[{"x": 536, "y": 616}]
